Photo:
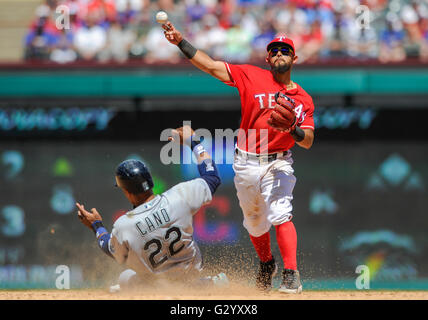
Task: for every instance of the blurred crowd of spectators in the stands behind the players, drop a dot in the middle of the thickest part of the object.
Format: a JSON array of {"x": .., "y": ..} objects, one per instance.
[{"x": 65, "y": 31}]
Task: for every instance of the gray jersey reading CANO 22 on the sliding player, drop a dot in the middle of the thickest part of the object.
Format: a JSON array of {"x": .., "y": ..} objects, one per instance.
[{"x": 156, "y": 238}]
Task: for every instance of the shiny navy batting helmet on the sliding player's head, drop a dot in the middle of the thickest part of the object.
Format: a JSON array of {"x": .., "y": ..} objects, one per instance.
[{"x": 133, "y": 176}]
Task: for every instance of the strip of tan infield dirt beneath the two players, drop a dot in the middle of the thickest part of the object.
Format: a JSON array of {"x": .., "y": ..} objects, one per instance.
[{"x": 232, "y": 293}]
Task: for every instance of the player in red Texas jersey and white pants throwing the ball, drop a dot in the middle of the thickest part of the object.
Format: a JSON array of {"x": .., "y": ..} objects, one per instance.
[{"x": 276, "y": 113}]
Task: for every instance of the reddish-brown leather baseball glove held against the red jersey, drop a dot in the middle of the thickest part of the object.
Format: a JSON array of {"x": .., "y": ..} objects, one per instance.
[{"x": 283, "y": 117}]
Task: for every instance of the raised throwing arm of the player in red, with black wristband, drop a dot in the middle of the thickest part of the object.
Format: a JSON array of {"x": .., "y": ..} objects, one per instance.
[{"x": 197, "y": 57}]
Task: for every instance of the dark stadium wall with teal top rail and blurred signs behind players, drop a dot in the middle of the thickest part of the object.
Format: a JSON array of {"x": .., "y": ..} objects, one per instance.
[{"x": 360, "y": 198}]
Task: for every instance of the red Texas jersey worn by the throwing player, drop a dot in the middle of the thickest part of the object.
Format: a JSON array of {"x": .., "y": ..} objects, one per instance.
[{"x": 257, "y": 88}]
